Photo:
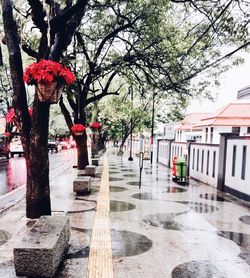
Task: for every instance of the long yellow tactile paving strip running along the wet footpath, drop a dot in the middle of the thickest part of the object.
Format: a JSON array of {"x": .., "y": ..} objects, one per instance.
[{"x": 100, "y": 255}]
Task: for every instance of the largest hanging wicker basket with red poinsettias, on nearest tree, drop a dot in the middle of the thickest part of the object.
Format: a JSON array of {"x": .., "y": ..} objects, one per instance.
[{"x": 50, "y": 78}]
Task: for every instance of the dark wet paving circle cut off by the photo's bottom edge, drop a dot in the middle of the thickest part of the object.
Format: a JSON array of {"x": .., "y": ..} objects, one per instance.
[{"x": 197, "y": 269}]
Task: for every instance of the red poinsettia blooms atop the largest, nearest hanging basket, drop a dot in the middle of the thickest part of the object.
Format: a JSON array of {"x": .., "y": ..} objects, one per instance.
[{"x": 47, "y": 71}]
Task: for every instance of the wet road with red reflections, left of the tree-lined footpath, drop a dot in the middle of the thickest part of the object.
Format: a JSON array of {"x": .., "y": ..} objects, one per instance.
[{"x": 13, "y": 172}]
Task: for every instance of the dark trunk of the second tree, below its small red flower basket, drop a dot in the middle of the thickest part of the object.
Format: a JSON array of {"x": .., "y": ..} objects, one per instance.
[{"x": 82, "y": 151}]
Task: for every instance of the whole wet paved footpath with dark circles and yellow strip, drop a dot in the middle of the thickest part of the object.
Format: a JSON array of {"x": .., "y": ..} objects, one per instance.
[{"x": 163, "y": 229}]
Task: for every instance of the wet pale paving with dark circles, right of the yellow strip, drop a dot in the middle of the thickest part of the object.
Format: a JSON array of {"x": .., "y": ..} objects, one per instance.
[{"x": 195, "y": 230}]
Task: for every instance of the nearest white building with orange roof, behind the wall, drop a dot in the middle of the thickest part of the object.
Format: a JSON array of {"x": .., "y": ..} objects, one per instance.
[{"x": 234, "y": 117}]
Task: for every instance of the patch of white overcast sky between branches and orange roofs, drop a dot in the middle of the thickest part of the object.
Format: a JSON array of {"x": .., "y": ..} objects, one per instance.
[{"x": 232, "y": 81}]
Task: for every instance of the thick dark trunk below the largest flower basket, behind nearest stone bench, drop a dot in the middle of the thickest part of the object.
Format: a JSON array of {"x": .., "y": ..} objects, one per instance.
[{"x": 37, "y": 190}]
